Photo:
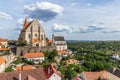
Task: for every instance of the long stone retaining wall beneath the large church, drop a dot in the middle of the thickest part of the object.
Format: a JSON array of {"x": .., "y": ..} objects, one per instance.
[{"x": 20, "y": 51}]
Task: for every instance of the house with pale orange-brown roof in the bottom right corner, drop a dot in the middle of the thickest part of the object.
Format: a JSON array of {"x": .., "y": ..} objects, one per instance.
[{"x": 103, "y": 75}]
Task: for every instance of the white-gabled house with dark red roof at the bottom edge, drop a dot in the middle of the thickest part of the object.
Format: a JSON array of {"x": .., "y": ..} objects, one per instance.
[{"x": 51, "y": 73}]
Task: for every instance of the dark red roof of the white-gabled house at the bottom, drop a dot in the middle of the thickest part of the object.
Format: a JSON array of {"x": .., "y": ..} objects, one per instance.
[{"x": 50, "y": 70}]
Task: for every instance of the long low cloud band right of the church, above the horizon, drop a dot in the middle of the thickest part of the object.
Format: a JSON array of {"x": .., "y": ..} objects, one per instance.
[{"x": 87, "y": 29}]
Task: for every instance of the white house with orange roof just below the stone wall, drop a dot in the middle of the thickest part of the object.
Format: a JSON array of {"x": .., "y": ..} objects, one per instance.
[{"x": 37, "y": 57}]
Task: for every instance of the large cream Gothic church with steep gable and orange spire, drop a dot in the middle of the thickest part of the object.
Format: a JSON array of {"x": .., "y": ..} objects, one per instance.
[{"x": 33, "y": 33}]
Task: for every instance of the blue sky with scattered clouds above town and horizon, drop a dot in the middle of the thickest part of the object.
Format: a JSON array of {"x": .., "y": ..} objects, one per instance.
[{"x": 73, "y": 19}]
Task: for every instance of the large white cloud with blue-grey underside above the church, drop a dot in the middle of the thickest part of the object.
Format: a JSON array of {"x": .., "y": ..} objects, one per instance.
[{"x": 44, "y": 11}]
